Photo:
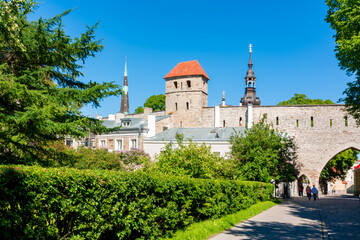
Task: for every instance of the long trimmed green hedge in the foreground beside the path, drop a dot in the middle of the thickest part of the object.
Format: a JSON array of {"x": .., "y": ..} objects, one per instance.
[{"x": 43, "y": 203}]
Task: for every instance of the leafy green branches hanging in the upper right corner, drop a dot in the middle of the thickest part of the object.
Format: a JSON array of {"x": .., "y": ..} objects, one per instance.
[{"x": 343, "y": 16}]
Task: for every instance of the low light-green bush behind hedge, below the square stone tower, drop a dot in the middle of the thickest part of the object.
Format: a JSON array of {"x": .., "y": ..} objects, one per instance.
[{"x": 190, "y": 159}]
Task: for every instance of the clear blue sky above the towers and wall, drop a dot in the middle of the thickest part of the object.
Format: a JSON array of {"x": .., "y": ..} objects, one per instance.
[{"x": 293, "y": 47}]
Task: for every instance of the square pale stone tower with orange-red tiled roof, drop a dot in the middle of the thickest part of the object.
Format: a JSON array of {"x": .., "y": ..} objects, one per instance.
[{"x": 186, "y": 93}]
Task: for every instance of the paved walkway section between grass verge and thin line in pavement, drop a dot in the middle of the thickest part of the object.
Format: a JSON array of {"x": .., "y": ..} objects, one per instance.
[{"x": 296, "y": 218}]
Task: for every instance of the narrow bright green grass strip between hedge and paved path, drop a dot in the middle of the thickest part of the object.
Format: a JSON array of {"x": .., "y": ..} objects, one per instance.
[{"x": 208, "y": 228}]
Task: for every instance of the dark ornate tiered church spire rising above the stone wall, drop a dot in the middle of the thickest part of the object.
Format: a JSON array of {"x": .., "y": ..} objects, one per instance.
[{"x": 250, "y": 86}]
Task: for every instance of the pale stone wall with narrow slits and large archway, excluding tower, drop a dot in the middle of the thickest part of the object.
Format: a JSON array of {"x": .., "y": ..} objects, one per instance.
[{"x": 320, "y": 132}]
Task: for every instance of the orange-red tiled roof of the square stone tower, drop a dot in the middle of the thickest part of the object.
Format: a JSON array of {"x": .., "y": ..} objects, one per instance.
[{"x": 189, "y": 68}]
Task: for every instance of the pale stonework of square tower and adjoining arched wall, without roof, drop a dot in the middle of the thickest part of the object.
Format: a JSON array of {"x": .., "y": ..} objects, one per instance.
[{"x": 319, "y": 132}]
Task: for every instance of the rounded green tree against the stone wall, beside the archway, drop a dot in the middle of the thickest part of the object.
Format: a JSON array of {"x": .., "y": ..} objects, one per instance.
[{"x": 262, "y": 154}]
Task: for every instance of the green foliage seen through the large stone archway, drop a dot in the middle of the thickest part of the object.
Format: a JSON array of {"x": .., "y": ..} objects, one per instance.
[{"x": 339, "y": 165}]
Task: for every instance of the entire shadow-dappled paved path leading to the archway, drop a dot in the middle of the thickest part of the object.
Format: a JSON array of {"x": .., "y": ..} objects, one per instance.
[{"x": 335, "y": 217}]
